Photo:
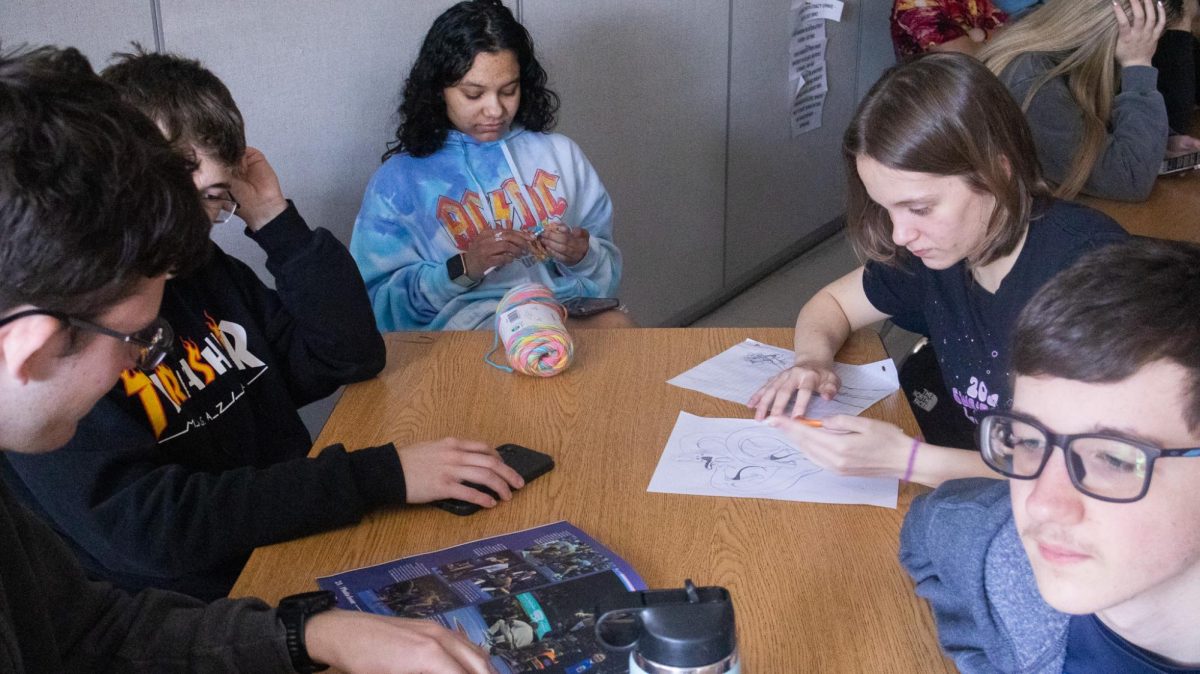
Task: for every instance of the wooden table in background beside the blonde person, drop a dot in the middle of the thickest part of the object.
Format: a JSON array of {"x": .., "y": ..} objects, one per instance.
[{"x": 1173, "y": 210}]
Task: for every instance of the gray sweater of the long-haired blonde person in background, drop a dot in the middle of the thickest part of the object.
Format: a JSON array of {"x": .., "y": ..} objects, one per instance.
[{"x": 1137, "y": 141}]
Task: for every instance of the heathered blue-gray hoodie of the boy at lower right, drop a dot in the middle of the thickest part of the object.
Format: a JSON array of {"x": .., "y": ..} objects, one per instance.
[{"x": 962, "y": 549}]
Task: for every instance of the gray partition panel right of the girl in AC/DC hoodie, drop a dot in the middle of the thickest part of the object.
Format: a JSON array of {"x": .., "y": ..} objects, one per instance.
[{"x": 645, "y": 98}]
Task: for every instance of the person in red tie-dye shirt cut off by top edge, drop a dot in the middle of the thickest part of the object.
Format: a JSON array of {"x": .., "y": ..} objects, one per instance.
[{"x": 944, "y": 26}]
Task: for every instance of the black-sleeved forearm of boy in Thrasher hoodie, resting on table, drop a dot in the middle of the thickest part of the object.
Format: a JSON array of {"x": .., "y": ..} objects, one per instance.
[{"x": 243, "y": 509}]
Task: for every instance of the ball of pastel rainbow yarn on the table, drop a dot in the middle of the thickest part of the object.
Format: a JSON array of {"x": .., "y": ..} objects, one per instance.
[{"x": 530, "y": 324}]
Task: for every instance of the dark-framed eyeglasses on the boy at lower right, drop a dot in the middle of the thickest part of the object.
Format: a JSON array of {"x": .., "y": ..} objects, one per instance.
[{"x": 1106, "y": 467}]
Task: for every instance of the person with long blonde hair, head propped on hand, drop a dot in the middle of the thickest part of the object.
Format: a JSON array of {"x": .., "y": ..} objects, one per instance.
[{"x": 1099, "y": 130}]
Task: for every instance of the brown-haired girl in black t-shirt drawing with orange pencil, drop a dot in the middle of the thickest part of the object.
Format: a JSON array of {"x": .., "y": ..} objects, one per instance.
[{"x": 949, "y": 207}]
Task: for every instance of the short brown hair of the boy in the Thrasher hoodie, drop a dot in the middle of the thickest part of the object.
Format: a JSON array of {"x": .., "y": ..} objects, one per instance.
[{"x": 191, "y": 105}]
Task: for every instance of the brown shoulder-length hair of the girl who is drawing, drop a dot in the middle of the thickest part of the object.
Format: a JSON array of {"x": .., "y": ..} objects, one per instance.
[{"x": 944, "y": 115}]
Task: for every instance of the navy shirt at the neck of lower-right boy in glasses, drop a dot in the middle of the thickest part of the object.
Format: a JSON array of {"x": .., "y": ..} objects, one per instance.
[{"x": 1093, "y": 647}]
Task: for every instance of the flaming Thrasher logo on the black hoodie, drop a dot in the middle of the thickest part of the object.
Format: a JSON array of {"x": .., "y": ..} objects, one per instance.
[{"x": 165, "y": 393}]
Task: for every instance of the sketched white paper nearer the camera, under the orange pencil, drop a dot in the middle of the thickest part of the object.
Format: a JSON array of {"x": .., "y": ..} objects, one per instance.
[{"x": 747, "y": 459}]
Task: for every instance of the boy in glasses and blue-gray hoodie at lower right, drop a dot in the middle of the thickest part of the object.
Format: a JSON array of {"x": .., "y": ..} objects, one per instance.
[{"x": 1089, "y": 558}]
